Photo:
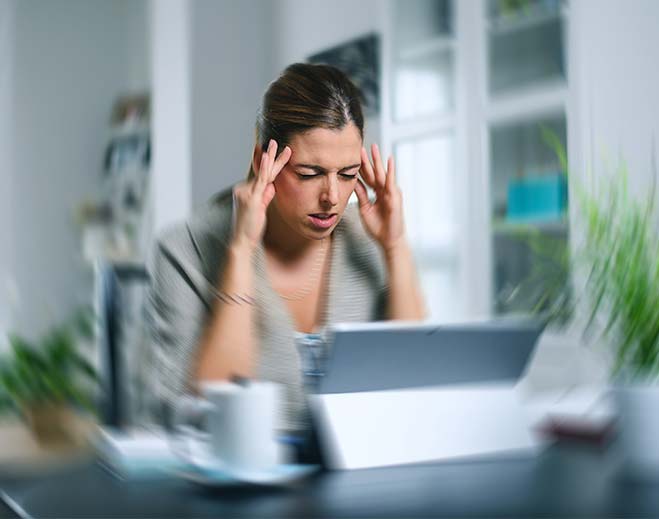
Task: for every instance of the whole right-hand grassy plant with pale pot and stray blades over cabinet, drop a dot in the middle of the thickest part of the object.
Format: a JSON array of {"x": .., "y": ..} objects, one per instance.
[{"x": 617, "y": 261}]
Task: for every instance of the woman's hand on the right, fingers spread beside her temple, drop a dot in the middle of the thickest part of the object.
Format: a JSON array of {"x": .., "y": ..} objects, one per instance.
[{"x": 383, "y": 218}]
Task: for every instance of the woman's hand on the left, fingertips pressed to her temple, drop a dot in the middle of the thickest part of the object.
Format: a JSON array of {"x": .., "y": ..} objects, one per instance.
[{"x": 253, "y": 197}]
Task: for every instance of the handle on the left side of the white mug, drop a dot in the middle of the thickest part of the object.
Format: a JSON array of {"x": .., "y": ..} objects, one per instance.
[{"x": 190, "y": 443}]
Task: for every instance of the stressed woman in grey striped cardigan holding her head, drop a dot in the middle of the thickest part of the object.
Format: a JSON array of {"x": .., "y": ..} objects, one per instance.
[{"x": 248, "y": 284}]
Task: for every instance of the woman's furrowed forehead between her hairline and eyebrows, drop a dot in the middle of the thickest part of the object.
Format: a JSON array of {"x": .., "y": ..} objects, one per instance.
[{"x": 326, "y": 147}]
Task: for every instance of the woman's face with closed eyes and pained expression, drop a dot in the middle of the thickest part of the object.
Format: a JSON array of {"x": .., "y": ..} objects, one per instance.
[{"x": 313, "y": 188}]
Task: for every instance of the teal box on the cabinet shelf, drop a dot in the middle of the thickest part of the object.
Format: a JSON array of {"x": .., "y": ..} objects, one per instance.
[{"x": 537, "y": 198}]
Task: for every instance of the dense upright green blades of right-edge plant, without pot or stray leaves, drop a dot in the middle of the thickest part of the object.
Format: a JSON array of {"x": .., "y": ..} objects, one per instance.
[{"x": 622, "y": 252}]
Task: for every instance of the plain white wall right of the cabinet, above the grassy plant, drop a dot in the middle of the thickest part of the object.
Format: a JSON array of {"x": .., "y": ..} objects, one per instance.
[{"x": 615, "y": 78}]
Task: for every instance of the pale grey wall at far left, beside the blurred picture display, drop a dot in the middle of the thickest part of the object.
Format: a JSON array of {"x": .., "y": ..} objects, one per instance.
[{"x": 71, "y": 59}]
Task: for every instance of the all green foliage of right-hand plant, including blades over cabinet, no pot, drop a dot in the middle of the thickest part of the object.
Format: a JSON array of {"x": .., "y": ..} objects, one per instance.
[{"x": 619, "y": 255}]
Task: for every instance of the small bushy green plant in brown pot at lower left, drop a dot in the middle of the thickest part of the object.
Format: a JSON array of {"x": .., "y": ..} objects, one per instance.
[{"x": 48, "y": 381}]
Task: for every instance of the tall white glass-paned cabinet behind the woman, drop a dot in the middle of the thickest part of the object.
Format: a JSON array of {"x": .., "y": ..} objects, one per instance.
[{"x": 479, "y": 81}]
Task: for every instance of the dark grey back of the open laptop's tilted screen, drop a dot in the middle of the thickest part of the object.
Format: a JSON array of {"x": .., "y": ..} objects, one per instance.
[{"x": 389, "y": 355}]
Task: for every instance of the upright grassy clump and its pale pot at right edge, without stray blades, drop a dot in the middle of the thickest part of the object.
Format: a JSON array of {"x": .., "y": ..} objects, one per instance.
[{"x": 622, "y": 250}]
